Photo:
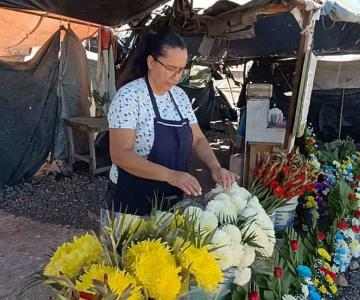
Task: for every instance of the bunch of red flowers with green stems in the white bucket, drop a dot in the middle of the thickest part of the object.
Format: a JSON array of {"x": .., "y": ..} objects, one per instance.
[{"x": 279, "y": 177}]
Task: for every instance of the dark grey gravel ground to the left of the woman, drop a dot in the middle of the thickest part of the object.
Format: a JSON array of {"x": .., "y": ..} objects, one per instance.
[{"x": 67, "y": 200}]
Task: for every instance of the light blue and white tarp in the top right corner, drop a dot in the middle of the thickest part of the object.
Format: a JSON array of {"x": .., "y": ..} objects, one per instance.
[{"x": 343, "y": 10}]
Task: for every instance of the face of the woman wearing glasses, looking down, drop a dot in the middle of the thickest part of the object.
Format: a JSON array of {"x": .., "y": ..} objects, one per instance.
[{"x": 166, "y": 71}]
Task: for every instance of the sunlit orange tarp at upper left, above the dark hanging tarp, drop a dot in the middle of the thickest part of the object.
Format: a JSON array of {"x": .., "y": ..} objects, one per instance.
[{"x": 19, "y": 31}]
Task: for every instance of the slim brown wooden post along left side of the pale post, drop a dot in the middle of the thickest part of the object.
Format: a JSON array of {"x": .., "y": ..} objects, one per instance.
[{"x": 297, "y": 79}]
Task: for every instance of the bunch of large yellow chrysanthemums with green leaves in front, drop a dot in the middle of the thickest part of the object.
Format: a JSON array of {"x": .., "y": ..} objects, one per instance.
[{"x": 159, "y": 257}]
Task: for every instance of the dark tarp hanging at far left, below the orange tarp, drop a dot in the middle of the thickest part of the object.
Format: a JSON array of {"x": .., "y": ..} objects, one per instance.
[{"x": 28, "y": 110}]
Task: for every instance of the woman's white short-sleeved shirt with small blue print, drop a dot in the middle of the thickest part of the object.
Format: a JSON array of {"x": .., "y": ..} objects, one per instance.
[{"x": 132, "y": 108}]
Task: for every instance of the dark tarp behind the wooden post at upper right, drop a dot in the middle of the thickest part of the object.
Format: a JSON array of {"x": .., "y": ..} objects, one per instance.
[{"x": 280, "y": 35}]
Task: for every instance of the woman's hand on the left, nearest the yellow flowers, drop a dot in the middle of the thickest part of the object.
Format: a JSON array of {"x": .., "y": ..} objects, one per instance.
[{"x": 184, "y": 181}]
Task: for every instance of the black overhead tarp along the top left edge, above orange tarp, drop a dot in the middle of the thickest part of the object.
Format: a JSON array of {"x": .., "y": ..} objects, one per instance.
[{"x": 104, "y": 12}]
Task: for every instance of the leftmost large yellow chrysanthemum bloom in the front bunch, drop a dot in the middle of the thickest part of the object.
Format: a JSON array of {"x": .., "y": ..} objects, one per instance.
[{"x": 70, "y": 258}]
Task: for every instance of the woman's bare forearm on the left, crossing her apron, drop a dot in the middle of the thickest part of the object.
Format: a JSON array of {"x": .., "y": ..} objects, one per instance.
[{"x": 136, "y": 165}]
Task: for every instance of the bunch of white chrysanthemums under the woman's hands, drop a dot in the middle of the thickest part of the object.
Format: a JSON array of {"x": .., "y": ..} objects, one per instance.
[{"x": 243, "y": 230}]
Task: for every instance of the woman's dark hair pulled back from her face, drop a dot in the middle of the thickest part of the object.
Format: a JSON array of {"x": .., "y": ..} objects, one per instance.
[{"x": 148, "y": 44}]
